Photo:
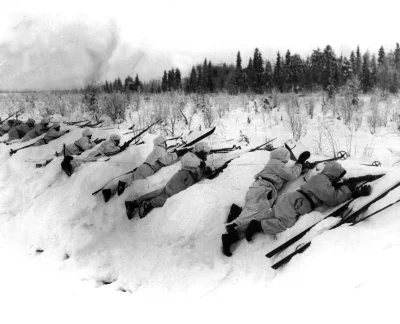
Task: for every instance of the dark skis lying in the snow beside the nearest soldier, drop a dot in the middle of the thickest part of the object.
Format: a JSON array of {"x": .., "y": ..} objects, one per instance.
[{"x": 349, "y": 217}]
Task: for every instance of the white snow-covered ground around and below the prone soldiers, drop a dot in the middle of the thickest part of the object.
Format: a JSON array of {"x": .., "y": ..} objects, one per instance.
[{"x": 66, "y": 256}]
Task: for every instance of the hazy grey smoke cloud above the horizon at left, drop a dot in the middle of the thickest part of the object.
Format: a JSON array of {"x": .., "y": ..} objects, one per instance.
[{"x": 40, "y": 55}]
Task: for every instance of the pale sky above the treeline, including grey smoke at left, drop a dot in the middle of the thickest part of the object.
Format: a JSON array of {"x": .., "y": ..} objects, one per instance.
[{"x": 55, "y": 43}]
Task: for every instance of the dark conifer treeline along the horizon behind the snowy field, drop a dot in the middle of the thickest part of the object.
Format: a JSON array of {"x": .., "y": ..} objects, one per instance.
[{"x": 322, "y": 70}]
